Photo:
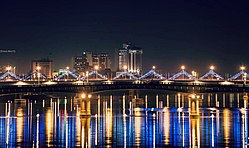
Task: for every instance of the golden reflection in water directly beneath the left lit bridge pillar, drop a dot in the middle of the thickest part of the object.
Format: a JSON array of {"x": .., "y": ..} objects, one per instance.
[{"x": 85, "y": 131}]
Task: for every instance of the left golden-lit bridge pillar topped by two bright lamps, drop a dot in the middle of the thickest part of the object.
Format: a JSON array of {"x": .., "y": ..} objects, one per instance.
[{"x": 85, "y": 105}]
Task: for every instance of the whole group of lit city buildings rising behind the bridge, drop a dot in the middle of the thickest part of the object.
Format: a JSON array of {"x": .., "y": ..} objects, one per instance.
[{"x": 129, "y": 59}]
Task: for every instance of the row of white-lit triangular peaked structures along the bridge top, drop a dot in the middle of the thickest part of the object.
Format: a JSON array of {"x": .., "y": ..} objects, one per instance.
[{"x": 152, "y": 74}]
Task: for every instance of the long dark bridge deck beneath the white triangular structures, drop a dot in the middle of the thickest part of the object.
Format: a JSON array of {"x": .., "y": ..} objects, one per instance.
[{"x": 95, "y": 87}]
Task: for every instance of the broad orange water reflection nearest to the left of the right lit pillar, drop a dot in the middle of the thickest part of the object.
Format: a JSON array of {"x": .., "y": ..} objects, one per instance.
[{"x": 166, "y": 125}]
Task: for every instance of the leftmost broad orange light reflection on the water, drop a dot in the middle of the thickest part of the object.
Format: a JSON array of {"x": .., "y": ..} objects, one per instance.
[{"x": 19, "y": 125}]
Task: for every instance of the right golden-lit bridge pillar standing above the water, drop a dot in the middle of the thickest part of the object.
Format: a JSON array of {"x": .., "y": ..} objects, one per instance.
[{"x": 194, "y": 105}]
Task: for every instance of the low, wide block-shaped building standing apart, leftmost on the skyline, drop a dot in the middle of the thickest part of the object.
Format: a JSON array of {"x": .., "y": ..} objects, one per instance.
[{"x": 46, "y": 66}]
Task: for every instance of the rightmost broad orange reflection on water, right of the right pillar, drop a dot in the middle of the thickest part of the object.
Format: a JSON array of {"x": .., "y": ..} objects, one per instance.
[{"x": 227, "y": 125}]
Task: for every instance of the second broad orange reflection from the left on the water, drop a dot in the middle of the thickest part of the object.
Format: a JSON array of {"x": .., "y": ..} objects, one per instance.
[{"x": 49, "y": 126}]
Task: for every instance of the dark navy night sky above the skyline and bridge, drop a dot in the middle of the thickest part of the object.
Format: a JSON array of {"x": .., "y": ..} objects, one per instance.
[{"x": 171, "y": 32}]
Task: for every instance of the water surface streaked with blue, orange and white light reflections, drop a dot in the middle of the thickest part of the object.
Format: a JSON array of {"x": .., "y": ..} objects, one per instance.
[{"x": 57, "y": 122}]
